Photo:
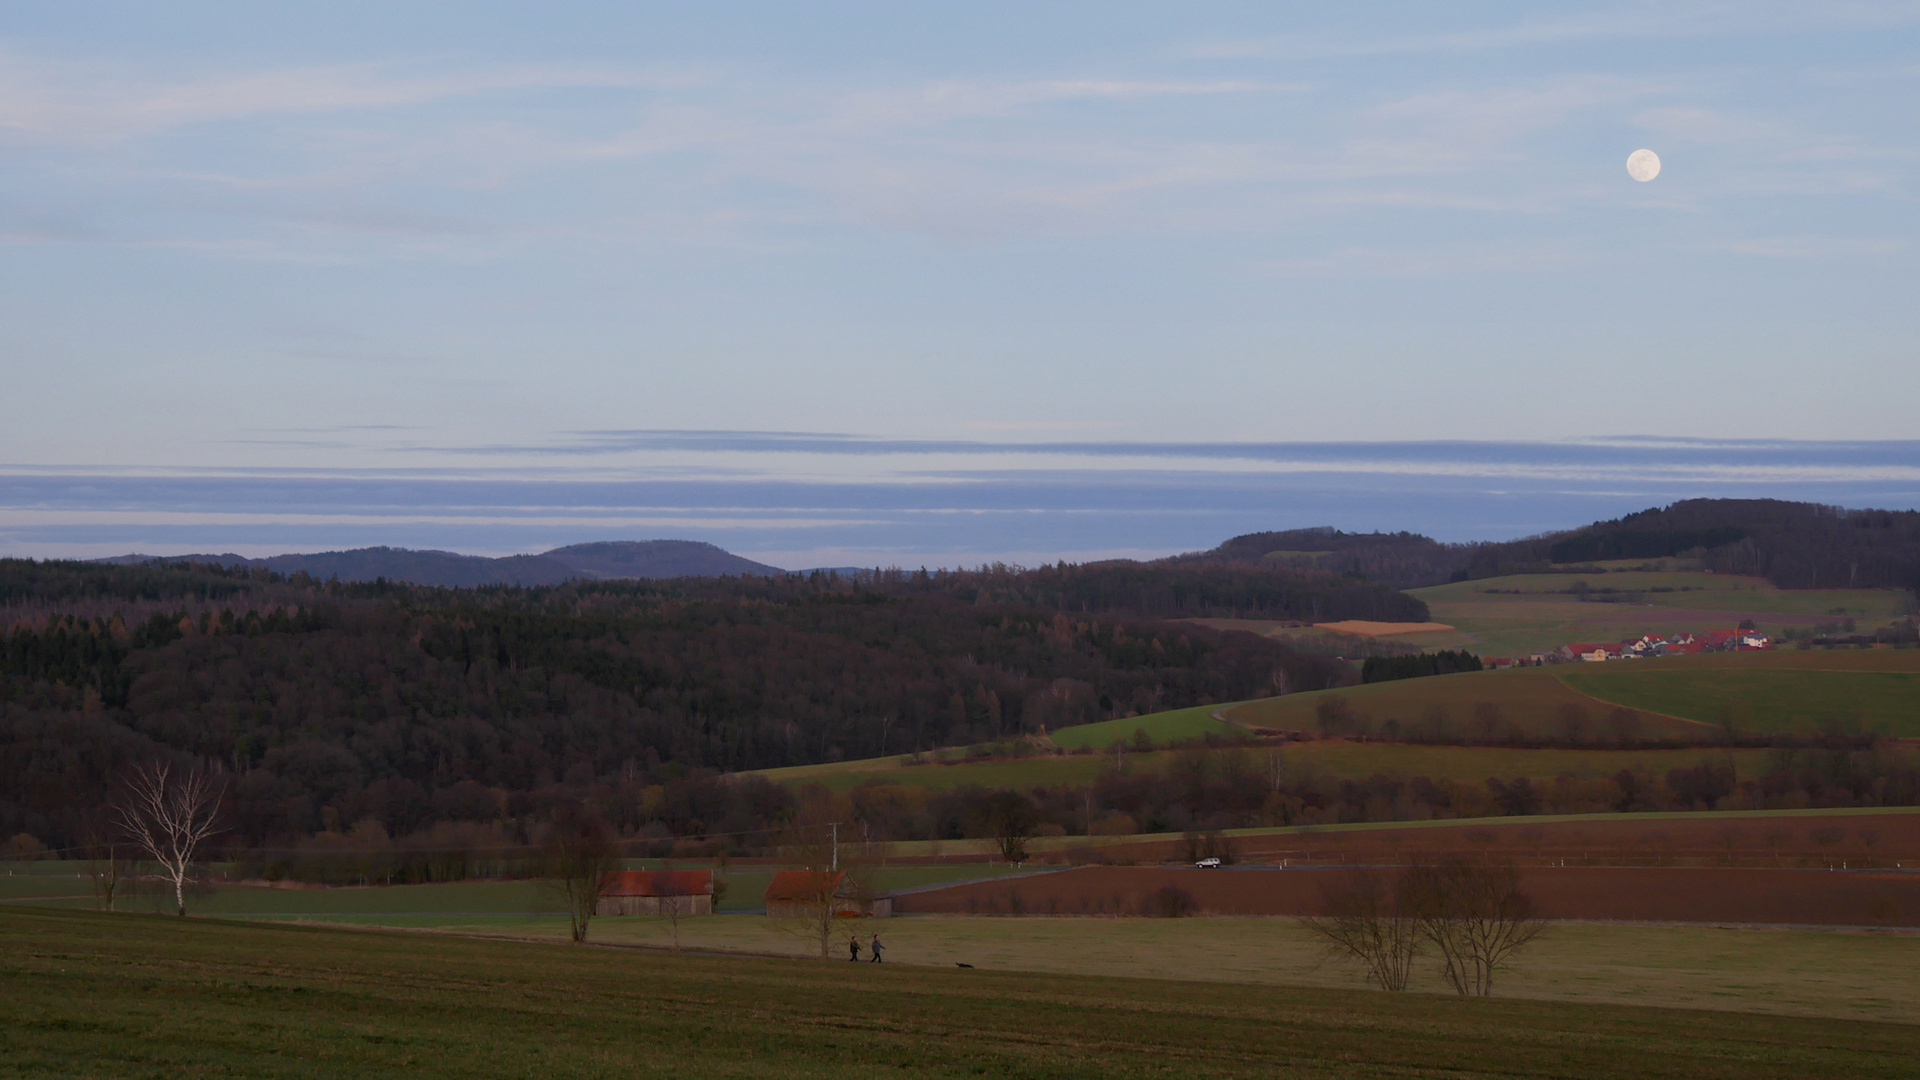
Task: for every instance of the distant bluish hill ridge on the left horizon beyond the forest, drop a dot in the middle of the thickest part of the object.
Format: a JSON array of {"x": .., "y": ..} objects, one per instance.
[{"x": 594, "y": 562}]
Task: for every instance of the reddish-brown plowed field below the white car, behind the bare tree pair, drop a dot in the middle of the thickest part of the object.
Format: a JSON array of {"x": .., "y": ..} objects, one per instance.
[{"x": 1765, "y": 896}]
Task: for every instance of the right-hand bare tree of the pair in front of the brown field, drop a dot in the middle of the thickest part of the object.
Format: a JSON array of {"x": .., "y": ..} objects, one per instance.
[{"x": 1476, "y": 918}]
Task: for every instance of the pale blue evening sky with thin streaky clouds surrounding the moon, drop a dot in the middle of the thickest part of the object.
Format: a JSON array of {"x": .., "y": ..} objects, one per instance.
[{"x": 498, "y": 278}]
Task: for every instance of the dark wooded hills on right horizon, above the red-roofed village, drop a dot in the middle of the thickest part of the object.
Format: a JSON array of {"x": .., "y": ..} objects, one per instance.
[{"x": 1787, "y": 543}]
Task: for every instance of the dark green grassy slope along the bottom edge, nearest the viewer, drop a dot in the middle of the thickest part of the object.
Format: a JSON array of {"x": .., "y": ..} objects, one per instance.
[{"x": 151, "y": 996}]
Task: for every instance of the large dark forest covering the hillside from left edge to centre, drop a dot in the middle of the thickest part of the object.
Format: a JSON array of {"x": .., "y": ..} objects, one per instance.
[{"x": 343, "y": 702}]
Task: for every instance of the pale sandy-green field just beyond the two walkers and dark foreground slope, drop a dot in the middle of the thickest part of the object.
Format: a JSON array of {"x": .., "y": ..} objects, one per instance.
[{"x": 1808, "y": 973}]
